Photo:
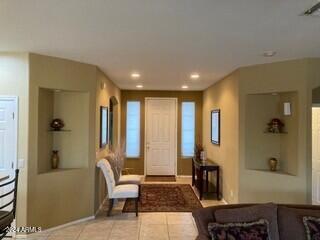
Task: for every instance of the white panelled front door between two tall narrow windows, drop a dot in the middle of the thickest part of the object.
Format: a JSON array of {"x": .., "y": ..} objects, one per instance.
[{"x": 161, "y": 131}]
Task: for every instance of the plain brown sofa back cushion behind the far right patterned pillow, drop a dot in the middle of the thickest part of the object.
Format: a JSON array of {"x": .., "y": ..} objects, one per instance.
[{"x": 290, "y": 222}]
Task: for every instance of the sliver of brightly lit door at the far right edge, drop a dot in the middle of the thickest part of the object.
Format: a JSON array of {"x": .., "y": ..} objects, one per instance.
[{"x": 316, "y": 155}]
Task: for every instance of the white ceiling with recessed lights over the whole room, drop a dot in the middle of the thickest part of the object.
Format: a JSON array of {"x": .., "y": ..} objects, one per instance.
[{"x": 165, "y": 40}]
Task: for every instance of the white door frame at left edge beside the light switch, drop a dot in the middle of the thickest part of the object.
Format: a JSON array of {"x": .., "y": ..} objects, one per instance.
[{"x": 15, "y": 100}]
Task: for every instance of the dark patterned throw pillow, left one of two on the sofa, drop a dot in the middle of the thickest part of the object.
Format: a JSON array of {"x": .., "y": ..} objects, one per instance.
[{"x": 253, "y": 230}]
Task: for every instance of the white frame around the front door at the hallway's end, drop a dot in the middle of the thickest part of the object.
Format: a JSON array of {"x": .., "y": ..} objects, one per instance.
[{"x": 175, "y": 136}]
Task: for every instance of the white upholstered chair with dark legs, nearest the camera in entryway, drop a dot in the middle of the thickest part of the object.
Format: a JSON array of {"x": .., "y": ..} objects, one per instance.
[{"x": 117, "y": 191}]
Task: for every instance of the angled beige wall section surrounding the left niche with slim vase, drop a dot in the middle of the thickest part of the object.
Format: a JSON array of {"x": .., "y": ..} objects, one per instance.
[{"x": 59, "y": 197}]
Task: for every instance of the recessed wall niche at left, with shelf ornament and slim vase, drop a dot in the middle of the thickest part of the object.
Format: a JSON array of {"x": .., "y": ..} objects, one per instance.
[{"x": 72, "y": 142}]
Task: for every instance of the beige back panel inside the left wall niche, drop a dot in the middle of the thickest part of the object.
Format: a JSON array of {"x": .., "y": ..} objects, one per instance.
[{"x": 73, "y": 108}]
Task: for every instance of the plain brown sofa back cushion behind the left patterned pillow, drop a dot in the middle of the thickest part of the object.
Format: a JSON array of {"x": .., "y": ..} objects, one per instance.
[{"x": 249, "y": 214}]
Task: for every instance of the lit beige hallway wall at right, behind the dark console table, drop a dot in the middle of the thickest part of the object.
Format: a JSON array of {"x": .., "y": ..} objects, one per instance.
[{"x": 224, "y": 96}]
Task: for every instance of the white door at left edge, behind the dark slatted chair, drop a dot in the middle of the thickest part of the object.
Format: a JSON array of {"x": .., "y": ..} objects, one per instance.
[{"x": 8, "y": 108}]
